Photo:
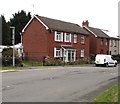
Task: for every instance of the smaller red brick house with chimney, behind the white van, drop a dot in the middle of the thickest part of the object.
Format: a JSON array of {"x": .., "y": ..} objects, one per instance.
[{"x": 99, "y": 41}]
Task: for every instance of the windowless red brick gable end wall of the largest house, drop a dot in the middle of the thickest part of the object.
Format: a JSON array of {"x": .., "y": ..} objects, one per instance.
[{"x": 35, "y": 41}]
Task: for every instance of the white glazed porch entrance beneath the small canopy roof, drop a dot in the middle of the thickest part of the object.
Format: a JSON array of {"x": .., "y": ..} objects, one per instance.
[{"x": 69, "y": 55}]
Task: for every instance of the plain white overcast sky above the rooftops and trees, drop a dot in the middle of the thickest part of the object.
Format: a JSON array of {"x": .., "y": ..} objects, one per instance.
[{"x": 101, "y": 14}]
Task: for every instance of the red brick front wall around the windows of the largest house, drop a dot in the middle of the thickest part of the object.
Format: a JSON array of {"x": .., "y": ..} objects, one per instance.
[{"x": 52, "y": 44}]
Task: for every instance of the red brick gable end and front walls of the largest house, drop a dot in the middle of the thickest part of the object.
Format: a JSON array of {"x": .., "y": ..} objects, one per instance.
[{"x": 39, "y": 42}]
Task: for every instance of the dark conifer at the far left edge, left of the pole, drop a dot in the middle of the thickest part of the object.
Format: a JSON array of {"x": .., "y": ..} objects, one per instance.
[{"x": 6, "y": 37}]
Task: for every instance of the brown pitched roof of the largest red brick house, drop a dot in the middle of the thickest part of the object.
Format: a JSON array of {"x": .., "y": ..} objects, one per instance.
[{"x": 58, "y": 25}]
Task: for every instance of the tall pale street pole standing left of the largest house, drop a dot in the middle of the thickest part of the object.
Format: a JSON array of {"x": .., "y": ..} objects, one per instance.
[{"x": 13, "y": 43}]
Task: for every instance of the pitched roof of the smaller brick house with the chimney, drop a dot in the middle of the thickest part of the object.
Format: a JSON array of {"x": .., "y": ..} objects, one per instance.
[{"x": 98, "y": 32}]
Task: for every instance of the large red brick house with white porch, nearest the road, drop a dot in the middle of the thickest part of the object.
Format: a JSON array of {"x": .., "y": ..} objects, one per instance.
[{"x": 49, "y": 37}]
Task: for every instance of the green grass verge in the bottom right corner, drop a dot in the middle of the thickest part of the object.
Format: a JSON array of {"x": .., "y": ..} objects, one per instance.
[{"x": 110, "y": 95}]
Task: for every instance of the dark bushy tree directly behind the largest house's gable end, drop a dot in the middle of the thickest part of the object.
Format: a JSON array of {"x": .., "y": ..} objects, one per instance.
[{"x": 19, "y": 21}]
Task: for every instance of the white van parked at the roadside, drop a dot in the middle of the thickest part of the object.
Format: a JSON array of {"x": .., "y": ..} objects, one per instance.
[{"x": 106, "y": 60}]
